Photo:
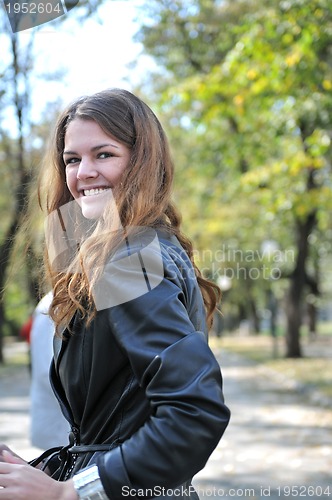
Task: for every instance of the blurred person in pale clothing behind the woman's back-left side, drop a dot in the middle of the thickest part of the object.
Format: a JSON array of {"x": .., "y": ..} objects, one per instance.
[{"x": 48, "y": 428}]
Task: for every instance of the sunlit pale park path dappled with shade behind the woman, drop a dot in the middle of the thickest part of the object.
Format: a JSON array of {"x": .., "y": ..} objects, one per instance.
[{"x": 276, "y": 438}]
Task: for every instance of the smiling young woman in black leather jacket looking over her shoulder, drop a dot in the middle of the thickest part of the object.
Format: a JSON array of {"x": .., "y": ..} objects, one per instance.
[{"x": 132, "y": 369}]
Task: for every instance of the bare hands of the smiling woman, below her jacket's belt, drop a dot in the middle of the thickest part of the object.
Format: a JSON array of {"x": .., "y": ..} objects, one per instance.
[{"x": 20, "y": 481}]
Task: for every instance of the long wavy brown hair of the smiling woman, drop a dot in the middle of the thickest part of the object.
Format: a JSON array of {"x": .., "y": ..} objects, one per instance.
[{"x": 144, "y": 199}]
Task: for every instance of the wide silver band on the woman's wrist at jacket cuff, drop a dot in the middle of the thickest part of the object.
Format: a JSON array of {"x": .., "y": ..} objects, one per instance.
[{"x": 88, "y": 485}]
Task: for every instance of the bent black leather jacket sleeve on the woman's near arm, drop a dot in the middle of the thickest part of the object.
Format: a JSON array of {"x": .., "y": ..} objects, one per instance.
[{"x": 182, "y": 381}]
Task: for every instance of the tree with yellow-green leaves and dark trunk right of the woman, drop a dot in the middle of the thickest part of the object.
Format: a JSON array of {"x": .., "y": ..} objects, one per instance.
[{"x": 256, "y": 99}]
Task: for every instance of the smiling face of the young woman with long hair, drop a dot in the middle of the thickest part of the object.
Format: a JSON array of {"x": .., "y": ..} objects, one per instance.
[{"x": 94, "y": 163}]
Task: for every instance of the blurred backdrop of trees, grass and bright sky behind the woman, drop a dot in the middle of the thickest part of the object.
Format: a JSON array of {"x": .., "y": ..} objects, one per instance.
[{"x": 244, "y": 91}]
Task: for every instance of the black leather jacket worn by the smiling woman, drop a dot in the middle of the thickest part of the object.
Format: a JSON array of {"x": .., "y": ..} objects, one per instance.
[{"x": 142, "y": 380}]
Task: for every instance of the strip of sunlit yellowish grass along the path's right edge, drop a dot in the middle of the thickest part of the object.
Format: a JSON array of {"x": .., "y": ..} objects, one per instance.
[{"x": 313, "y": 370}]
